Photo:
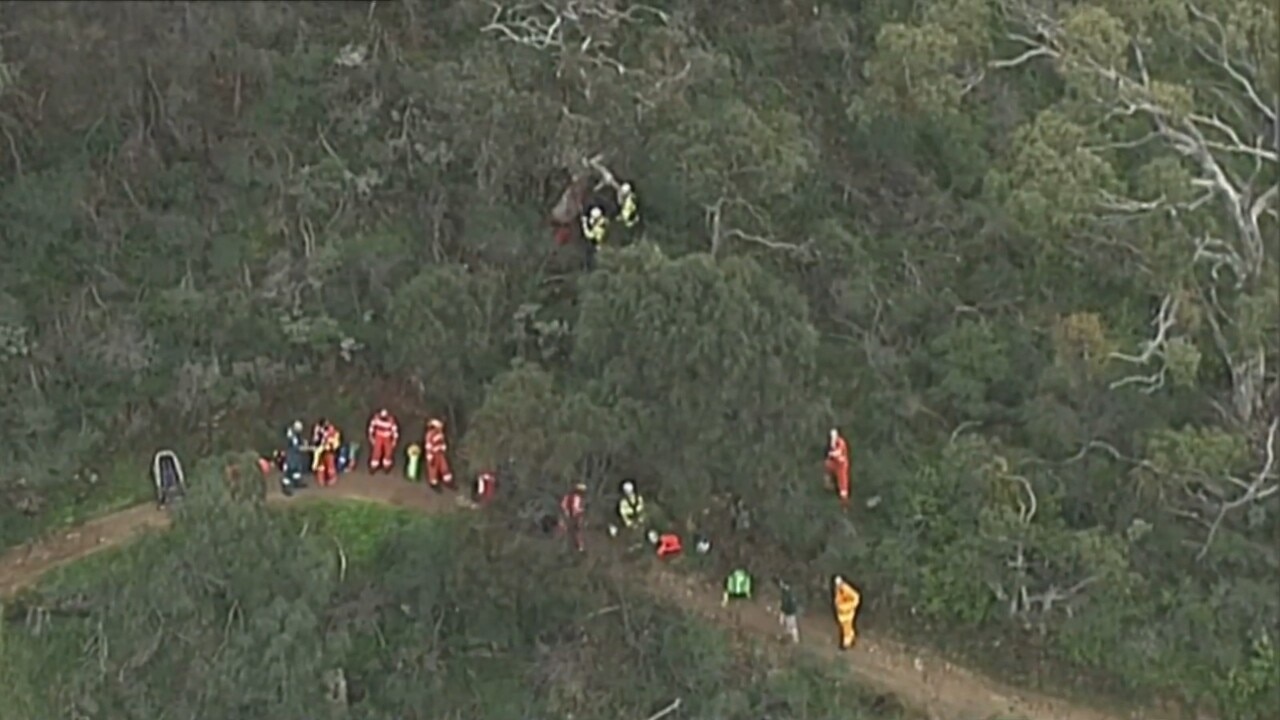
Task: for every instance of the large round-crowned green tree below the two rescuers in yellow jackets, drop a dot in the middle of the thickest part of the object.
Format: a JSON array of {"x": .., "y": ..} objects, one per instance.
[{"x": 711, "y": 362}]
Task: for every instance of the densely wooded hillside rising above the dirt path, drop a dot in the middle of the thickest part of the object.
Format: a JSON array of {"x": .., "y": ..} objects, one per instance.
[{"x": 1023, "y": 257}]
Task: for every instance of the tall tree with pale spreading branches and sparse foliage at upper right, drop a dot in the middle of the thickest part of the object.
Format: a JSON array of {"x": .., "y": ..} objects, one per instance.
[{"x": 1190, "y": 102}]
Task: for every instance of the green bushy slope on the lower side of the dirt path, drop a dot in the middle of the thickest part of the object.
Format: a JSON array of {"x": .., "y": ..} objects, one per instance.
[{"x": 358, "y": 612}]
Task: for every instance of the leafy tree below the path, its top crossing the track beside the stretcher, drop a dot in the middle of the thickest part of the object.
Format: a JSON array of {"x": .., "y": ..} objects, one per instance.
[{"x": 228, "y": 625}]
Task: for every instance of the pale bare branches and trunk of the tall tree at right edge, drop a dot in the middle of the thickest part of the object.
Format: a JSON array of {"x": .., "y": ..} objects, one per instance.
[{"x": 1209, "y": 143}]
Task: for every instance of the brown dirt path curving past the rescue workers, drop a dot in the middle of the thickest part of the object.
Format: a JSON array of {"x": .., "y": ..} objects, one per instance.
[{"x": 920, "y": 680}]
